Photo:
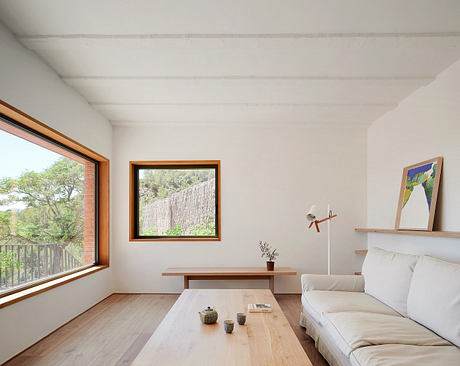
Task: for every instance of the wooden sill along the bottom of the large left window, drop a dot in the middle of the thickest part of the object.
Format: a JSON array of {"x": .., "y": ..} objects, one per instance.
[{"x": 21, "y": 295}]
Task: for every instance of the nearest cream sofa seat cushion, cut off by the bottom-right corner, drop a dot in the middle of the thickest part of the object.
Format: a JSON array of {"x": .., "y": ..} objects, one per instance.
[{"x": 406, "y": 355}]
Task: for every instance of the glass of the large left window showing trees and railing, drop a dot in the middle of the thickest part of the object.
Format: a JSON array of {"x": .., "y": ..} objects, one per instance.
[{"x": 47, "y": 208}]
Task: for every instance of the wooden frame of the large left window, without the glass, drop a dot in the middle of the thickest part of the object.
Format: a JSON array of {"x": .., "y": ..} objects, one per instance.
[{"x": 103, "y": 206}]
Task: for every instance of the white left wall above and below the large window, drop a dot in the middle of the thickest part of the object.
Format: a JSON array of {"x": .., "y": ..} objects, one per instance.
[{"x": 31, "y": 86}]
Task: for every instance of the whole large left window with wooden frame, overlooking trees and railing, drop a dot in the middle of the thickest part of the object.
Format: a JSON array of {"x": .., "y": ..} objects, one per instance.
[{"x": 53, "y": 207}]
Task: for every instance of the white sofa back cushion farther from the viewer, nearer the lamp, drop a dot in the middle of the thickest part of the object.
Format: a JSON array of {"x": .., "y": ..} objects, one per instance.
[{"x": 387, "y": 277}]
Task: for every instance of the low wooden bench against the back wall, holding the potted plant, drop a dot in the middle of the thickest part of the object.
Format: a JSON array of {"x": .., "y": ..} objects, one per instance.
[{"x": 229, "y": 273}]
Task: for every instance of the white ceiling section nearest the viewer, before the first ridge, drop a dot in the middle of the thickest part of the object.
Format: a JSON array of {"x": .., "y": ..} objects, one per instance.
[{"x": 165, "y": 17}]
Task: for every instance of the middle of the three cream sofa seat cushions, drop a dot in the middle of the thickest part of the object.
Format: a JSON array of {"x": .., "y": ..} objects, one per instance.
[{"x": 352, "y": 330}]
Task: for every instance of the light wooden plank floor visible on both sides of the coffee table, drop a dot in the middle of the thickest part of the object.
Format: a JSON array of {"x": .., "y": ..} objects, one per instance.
[{"x": 114, "y": 331}]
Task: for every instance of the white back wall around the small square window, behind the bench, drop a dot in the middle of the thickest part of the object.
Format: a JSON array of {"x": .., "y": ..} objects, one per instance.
[{"x": 270, "y": 177}]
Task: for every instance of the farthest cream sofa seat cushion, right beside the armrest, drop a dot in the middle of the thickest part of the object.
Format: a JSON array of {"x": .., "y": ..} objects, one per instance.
[{"x": 318, "y": 303}]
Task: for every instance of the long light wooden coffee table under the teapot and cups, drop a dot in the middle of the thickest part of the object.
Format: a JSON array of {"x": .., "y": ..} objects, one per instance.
[{"x": 181, "y": 339}]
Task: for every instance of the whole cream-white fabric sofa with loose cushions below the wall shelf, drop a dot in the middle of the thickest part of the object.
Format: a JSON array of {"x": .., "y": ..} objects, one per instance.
[{"x": 403, "y": 310}]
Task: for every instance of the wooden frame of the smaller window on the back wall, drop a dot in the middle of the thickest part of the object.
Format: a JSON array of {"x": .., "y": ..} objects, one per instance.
[{"x": 133, "y": 237}]
